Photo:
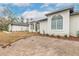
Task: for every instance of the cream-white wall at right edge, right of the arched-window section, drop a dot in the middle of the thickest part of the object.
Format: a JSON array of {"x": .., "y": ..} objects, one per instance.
[{"x": 74, "y": 25}]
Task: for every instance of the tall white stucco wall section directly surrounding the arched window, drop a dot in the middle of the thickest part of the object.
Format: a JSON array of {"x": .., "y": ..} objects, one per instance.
[{"x": 65, "y": 31}]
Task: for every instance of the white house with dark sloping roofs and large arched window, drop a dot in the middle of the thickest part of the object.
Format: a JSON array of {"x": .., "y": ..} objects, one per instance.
[{"x": 61, "y": 22}]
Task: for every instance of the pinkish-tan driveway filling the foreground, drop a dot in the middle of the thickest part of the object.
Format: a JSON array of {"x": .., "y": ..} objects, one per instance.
[{"x": 41, "y": 46}]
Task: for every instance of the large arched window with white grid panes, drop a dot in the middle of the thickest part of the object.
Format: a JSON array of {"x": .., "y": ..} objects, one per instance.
[{"x": 57, "y": 22}]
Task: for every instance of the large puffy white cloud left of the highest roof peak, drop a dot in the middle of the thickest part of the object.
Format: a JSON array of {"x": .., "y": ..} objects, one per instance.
[{"x": 34, "y": 14}]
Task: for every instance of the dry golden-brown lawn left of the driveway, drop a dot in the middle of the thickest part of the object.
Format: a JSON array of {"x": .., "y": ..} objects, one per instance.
[{"x": 6, "y": 38}]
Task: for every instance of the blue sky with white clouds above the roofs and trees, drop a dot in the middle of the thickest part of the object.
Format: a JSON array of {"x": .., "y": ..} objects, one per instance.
[{"x": 34, "y": 9}]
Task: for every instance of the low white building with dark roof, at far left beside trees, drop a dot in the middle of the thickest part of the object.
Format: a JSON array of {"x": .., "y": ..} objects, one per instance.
[{"x": 18, "y": 27}]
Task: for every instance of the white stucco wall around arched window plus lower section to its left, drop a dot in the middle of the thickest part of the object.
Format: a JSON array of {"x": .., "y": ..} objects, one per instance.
[{"x": 46, "y": 25}]
